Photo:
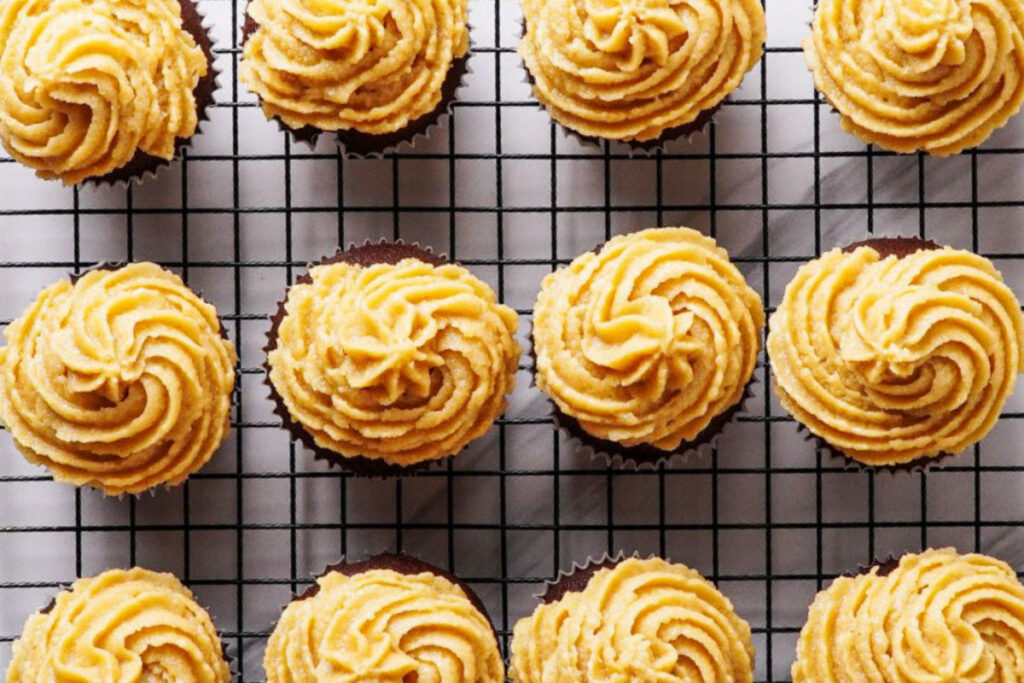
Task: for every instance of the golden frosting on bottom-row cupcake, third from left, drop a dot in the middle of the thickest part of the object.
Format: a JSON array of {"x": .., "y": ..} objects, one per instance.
[{"x": 643, "y": 621}]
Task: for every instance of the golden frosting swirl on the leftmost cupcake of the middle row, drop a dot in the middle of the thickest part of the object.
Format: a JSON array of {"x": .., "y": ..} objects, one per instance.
[{"x": 119, "y": 381}]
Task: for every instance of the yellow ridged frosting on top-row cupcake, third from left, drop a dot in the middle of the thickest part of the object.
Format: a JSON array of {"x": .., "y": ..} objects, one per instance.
[{"x": 628, "y": 70}]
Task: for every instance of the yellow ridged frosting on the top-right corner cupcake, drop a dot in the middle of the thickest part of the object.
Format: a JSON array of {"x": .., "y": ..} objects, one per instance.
[{"x": 937, "y": 76}]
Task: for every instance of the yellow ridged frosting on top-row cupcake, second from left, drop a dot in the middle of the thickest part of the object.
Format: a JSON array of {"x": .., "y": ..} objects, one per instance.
[{"x": 353, "y": 65}]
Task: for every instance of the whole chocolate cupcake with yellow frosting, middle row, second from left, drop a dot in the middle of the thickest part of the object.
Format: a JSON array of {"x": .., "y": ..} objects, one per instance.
[{"x": 385, "y": 357}]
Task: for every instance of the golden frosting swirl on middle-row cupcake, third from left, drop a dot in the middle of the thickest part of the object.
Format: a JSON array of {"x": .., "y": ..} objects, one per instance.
[{"x": 648, "y": 340}]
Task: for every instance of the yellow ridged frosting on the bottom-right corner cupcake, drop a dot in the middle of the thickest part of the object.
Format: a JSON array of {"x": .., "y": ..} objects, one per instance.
[{"x": 937, "y": 618}]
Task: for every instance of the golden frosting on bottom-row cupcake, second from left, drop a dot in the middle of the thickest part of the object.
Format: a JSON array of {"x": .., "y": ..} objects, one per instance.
[{"x": 386, "y": 627}]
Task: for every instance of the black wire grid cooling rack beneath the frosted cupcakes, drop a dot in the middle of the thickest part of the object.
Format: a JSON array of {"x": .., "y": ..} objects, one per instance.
[{"x": 504, "y": 192}]
